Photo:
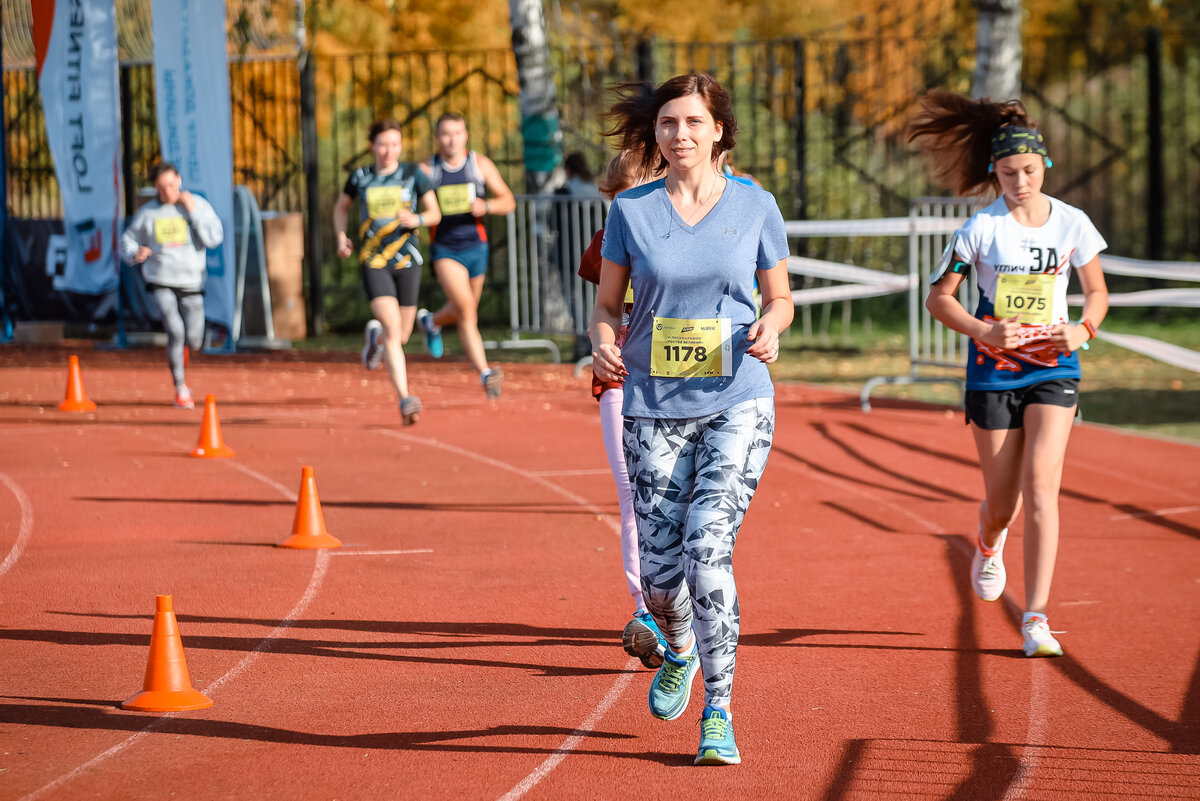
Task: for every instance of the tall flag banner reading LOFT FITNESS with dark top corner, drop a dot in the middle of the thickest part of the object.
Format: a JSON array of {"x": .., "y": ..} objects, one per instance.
[{"x": 76, "y": 46}]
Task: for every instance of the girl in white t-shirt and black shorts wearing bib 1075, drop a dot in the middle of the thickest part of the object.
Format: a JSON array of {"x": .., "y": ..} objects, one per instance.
[{"x": 1023, "y": 369}]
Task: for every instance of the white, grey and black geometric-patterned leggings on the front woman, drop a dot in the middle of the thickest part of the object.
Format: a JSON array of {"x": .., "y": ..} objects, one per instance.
[{"x": 693, "y": 481}]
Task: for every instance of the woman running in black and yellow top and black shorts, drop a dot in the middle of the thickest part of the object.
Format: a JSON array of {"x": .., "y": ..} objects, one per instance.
[{"x": 389, "y": 195}]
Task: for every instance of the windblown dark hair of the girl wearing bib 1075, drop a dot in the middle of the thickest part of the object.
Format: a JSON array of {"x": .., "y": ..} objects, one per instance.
[{"x": 957, "y": 133}]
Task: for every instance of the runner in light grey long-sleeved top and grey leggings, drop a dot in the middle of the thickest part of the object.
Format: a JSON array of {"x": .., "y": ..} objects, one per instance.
[{"x": 170, "y": 238}]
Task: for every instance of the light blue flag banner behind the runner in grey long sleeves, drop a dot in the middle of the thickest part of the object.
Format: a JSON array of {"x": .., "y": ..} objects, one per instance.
[{"x": 196, "y": 128}]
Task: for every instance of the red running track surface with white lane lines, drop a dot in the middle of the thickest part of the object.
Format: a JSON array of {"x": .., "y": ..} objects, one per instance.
[{"x": 465, "y": 642}]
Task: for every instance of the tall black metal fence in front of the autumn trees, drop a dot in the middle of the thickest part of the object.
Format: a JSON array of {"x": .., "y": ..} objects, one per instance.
[{"x": 821, "y": 125}]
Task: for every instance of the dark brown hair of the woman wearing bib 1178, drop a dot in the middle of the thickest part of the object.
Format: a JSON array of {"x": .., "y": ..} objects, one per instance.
[{"x": 635, "y": 115}]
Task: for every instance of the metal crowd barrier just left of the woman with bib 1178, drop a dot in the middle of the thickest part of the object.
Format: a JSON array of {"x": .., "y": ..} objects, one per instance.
[{"x": 548, "y": 237}]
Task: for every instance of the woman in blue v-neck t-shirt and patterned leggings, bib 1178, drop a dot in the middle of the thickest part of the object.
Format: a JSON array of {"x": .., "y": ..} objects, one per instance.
[{"x": 699, "y": 402}]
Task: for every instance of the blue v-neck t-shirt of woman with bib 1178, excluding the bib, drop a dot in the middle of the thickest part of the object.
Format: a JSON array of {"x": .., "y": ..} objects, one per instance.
[{"x": 691, "y": 273}]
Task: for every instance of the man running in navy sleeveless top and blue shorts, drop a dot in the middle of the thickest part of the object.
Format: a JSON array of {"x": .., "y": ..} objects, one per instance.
[{"x": 469, "y": 188}]
